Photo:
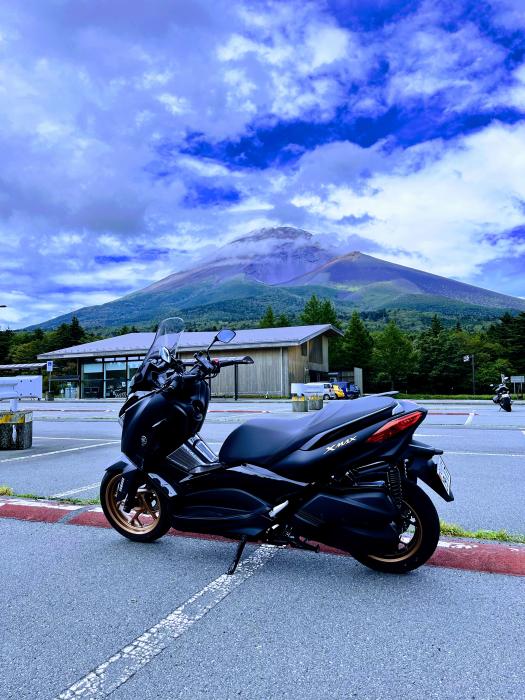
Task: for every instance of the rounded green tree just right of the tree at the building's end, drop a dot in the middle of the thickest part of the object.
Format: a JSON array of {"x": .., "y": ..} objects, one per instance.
[{"x": 393, "y": 355}]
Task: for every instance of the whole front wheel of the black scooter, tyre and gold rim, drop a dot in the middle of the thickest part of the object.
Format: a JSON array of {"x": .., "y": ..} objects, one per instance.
[{"x": 149, "y": 517}]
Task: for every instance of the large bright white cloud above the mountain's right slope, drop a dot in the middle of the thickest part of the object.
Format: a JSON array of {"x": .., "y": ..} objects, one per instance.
[{"x": 443, "y": 211}]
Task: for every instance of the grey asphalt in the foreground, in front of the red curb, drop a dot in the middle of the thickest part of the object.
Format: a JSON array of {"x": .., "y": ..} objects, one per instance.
[{"x": 85, "y": 613}]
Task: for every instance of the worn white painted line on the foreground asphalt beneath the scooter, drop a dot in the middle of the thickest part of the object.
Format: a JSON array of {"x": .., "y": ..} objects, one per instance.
[{"x": 120, "y": 667}]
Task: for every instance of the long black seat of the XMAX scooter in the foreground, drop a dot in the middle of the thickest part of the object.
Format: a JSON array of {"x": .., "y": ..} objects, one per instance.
[{"x": 262, "y": 441}]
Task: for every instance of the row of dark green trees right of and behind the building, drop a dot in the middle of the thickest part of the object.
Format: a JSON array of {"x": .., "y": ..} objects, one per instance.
[{"x": 431, "y": 360}]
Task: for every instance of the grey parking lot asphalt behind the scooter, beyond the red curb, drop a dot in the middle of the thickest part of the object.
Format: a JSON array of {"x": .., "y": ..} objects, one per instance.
[{"x": 484, "y": 450}]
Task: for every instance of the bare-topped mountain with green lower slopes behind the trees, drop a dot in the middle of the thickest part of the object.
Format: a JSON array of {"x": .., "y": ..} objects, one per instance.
[{"x": 283, "y": 266}]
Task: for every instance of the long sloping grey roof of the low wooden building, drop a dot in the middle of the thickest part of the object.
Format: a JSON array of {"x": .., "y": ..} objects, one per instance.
[{"x": 139, "y": 343}]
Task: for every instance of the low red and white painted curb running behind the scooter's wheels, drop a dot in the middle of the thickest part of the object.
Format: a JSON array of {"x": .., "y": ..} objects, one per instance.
[{"x": 499, "y": 558}]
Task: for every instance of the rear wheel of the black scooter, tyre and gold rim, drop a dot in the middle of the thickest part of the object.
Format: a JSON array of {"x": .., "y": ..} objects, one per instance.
[{"x": 417, "y": 542}]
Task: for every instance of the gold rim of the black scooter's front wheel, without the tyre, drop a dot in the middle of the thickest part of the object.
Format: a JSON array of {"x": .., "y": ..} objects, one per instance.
[{"x": 143, "y": 516}]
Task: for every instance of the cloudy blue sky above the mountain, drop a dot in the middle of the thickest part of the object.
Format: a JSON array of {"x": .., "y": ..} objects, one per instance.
[{"x": 136, "y": 137}]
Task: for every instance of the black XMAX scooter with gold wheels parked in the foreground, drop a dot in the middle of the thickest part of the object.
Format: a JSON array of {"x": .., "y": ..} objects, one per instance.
[{"x": 345, "y": 476}]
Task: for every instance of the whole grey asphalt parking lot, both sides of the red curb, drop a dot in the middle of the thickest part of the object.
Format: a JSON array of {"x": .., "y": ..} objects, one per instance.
[{"x": 88, "y": 614}]
